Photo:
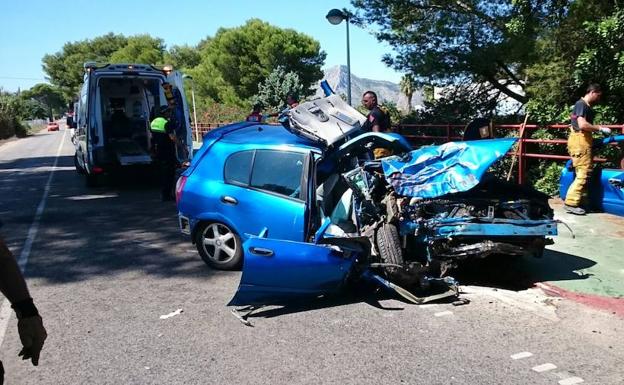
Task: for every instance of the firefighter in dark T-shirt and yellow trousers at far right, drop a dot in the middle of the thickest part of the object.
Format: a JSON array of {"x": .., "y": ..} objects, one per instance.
[{"x": 580, "y": 147}]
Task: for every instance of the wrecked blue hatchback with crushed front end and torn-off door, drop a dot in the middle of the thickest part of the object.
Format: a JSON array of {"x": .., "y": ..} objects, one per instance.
[{"x": 328, "y": 214}]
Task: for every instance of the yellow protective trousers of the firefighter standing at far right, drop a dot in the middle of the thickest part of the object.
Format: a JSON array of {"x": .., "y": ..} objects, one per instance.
[{"x": 580, "y": 149}]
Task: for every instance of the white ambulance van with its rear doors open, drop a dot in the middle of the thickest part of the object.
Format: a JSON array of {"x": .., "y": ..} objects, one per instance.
[{"x": 115, "y": 107}]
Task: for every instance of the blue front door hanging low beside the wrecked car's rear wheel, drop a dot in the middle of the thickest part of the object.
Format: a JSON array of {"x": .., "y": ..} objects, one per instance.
[{"x": 278, "y": 271}]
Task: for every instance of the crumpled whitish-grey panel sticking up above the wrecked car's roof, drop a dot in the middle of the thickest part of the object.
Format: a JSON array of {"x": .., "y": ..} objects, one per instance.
[{"x": 326, "y": 121}]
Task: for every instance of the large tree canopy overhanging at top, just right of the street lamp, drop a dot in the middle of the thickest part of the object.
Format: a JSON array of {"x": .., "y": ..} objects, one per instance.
[{"x": 444, "y": 42}]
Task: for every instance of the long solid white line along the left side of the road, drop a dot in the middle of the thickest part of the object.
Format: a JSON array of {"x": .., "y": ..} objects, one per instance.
[{"x": 5, "y": 311}]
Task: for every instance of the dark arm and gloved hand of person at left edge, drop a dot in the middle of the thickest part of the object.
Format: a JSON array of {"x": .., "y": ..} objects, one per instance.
[{"x": 29, "y": 324}]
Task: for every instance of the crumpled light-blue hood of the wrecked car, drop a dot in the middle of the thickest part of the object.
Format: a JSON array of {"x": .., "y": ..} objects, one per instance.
[{"x": 433, "y": 171}]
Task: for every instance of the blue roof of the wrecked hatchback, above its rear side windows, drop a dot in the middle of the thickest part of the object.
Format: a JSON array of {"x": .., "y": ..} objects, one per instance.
[{"x": 267, "y": 134}]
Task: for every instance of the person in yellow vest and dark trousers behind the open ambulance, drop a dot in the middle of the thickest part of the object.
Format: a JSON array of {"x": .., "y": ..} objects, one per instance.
[{"x": 164, "y": 146}]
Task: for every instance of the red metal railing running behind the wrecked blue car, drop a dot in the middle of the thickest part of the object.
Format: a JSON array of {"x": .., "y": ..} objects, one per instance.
[{"x": 451, "y": 132}]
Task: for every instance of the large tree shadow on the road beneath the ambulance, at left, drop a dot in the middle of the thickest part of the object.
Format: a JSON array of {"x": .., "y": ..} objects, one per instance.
[{"x": 121, "y": 226}]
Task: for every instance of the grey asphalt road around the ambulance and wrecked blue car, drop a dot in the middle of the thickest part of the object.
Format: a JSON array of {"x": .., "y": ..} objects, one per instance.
[{"x": 104, "y": 264}]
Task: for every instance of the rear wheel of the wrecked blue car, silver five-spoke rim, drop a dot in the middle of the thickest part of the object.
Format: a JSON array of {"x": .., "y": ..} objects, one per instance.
[{"x": 219, "y": 246}]
